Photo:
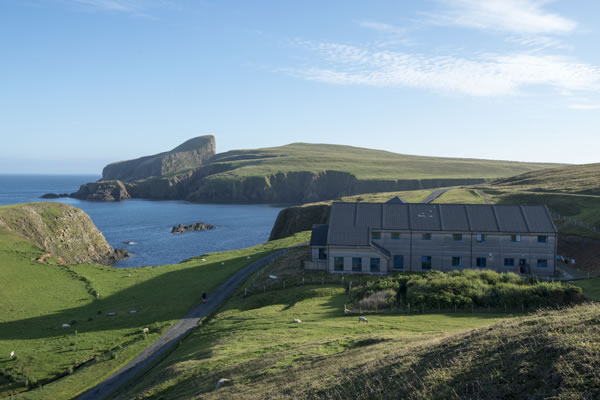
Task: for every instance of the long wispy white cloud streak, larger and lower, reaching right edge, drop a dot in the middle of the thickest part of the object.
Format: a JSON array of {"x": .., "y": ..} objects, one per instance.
[{"x": 484, "y": 75}]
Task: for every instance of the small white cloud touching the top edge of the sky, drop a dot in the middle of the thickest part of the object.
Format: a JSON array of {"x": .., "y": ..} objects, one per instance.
[{"x": 514, "y": 16}]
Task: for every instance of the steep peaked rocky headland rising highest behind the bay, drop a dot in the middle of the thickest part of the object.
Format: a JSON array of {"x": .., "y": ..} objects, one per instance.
[{"x": 191, "y": 154}]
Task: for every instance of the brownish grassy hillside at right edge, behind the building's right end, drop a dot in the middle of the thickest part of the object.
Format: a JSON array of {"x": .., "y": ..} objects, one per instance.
[{"x": 579, "y": 179}]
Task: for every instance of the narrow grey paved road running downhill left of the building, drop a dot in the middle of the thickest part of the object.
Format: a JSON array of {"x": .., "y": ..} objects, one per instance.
[{"x": 158, "y": 351}]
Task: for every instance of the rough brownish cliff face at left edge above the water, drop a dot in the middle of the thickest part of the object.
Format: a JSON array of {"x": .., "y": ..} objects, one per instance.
[{"x": 61, "y": 230}]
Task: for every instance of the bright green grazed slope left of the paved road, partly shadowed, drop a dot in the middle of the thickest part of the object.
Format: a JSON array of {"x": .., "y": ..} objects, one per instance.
[{"x": 37, "y": 299}]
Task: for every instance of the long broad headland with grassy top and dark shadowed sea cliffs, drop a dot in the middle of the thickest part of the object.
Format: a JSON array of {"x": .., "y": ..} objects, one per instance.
[{"x": 302, "y": 172}]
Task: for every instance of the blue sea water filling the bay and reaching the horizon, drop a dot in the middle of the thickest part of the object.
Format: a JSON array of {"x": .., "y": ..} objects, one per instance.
[{"x": 148, "y": 223}]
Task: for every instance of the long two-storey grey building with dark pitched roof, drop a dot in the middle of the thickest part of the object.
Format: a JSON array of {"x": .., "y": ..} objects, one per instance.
[{"x": 380, "y": 238}]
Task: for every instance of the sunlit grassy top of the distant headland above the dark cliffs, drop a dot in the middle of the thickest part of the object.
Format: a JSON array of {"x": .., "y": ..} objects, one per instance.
[{"x": 363, "y": 163}]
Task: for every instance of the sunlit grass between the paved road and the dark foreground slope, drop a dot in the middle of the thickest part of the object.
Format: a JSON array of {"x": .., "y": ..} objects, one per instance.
[{"x": 255, "y": 342}]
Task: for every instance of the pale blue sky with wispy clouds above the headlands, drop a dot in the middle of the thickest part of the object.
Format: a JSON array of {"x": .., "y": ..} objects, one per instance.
[{"x": 88, "y": 82}]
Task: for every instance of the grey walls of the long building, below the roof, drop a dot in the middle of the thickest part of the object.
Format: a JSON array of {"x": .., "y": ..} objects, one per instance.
[{"x": 442, "y": 247}]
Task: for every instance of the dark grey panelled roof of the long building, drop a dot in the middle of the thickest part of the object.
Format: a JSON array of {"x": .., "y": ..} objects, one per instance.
[{"x": 350, "y": 223}]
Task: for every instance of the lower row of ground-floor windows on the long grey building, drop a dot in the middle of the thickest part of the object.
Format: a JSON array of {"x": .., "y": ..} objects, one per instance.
[{"x": 398, "y": 263}]
